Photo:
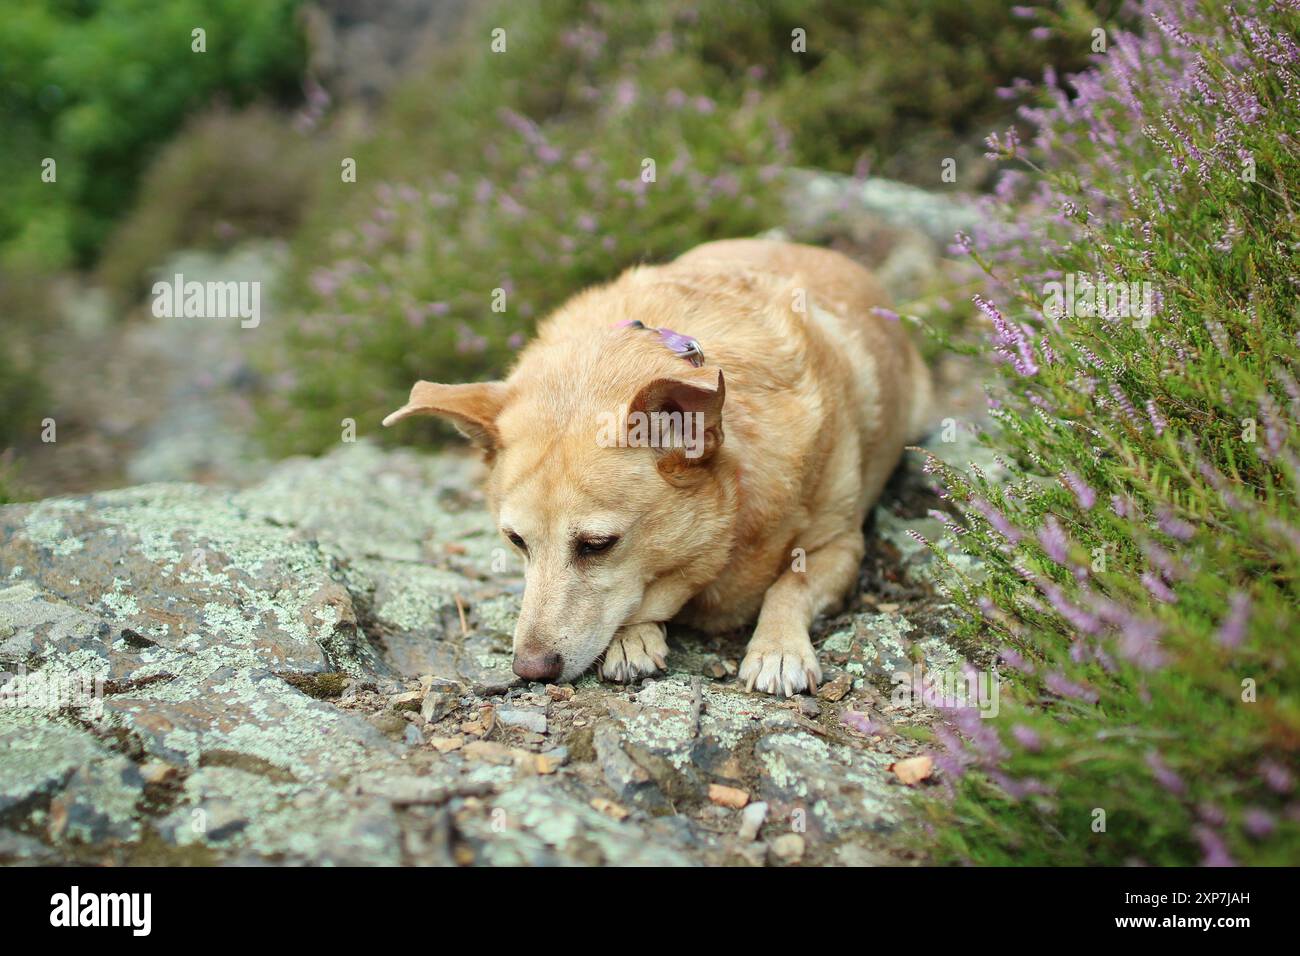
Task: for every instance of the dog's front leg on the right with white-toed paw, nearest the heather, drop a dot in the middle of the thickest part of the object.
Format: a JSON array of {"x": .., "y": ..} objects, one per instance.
[{"x": 781, "y": 657}]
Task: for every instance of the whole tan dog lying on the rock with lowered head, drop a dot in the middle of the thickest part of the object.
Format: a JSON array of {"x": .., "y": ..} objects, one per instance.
[{"x": 785, "y": 403}]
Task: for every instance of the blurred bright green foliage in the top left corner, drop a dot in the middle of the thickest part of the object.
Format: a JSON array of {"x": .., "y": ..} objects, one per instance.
[{"x": 98, "y": 86}]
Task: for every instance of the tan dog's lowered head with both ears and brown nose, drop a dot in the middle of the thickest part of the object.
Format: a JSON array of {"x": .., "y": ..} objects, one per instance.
[{"x": 601, "y": 495}]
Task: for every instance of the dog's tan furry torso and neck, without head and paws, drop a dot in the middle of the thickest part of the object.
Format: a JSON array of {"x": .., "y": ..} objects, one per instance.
[{"x": 822, "y": 393}]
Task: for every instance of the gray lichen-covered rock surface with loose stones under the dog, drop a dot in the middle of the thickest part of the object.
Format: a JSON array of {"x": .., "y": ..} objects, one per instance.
[{"x": 317, "y": 671}]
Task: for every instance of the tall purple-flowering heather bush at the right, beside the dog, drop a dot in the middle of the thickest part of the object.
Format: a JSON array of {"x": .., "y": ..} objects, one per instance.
[{"x": 1143, "y": 550}]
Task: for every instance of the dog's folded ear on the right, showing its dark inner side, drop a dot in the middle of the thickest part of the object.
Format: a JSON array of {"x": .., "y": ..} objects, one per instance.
[{"x": 697, "y": 395}]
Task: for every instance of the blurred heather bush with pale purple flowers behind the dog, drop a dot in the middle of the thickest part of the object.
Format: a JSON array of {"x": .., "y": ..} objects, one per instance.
[{"x": 523, "y": 171}]
